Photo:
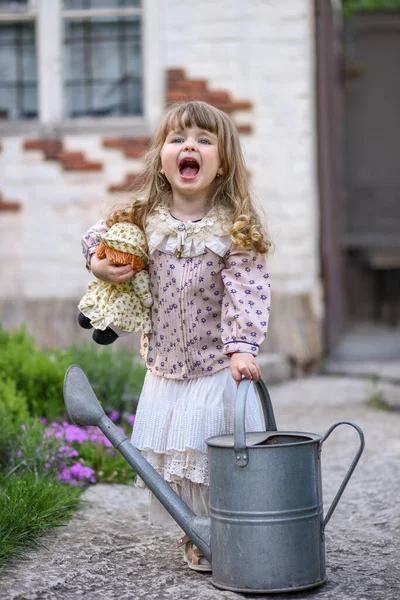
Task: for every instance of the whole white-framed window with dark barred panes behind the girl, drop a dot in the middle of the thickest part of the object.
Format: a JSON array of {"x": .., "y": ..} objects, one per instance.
[{"x": 73, "y": 60}]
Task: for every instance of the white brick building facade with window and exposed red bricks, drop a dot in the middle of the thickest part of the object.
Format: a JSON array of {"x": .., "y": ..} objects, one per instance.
[{"x": 82, "y": 84}]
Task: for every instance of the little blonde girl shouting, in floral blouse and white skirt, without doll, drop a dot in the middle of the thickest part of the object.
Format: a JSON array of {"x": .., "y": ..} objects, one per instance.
[{"x": 211, "y": 297}]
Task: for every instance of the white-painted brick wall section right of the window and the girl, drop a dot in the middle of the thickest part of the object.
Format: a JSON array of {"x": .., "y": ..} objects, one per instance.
[{"x": 263, "y": 51}]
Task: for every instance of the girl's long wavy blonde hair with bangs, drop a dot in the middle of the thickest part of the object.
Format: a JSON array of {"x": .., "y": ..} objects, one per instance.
[{"x": 230, "y": 190}]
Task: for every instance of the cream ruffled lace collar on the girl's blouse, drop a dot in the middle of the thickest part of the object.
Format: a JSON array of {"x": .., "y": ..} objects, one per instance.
[{"x": 169, "y": 235}]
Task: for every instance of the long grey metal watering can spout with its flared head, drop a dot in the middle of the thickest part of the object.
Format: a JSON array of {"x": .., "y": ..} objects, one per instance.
[{"x": 84, "y": 409}]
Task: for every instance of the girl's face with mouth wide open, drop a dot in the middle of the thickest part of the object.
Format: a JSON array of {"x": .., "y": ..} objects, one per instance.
[{"x": 190, "y": 162}]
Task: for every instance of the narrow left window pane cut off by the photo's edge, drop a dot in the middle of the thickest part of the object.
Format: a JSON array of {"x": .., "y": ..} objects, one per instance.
[{"x": 18, "y": 71}]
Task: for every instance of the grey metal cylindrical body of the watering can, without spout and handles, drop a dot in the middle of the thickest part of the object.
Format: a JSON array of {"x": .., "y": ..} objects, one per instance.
[{"x": 266, "y": 518}]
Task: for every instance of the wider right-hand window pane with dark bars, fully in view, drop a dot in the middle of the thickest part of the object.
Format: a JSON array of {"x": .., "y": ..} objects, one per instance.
[{"x": 103, "y": 67}]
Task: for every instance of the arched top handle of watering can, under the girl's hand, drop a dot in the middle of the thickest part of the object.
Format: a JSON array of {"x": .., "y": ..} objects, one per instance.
[{"x": 239, "y": 443}]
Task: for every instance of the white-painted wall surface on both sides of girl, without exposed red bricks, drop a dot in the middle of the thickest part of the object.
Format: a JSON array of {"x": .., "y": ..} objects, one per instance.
[{"x": 259, "y": 50}]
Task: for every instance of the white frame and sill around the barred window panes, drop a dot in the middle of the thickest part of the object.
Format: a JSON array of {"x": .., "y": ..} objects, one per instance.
[{"x": 49, "y": 14}]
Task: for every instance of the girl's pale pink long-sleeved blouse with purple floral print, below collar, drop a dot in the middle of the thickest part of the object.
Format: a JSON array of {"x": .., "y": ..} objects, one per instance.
[{"x": 205, "y": 306}]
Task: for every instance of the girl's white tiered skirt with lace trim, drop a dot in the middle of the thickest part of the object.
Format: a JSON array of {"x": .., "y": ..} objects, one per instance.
[{"x": 173, "y": 420}]
